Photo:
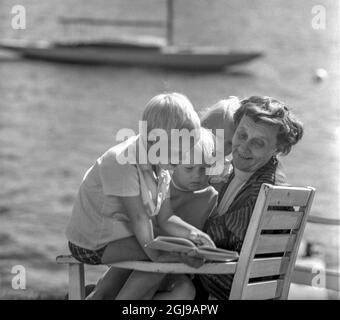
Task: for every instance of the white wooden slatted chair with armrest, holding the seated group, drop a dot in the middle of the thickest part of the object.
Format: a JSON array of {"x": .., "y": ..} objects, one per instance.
[{"x": 269, "y": 249}]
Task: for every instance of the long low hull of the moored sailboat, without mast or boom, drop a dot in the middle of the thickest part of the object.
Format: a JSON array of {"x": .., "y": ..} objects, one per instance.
[{"x": 134, "y": 52}]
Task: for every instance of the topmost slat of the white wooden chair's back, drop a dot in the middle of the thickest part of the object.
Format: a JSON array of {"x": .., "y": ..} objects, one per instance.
[{"x": 293, "y": 197}]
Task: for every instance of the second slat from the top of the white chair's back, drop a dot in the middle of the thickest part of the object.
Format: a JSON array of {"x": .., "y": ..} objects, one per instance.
[{"x": 276, "y": 219}]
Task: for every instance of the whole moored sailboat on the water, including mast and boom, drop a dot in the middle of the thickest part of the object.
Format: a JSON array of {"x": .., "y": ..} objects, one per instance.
[{"x": 144, "y": 51}]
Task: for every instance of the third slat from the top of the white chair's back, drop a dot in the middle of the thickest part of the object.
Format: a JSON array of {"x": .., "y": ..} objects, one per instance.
[{"x": 272, "y": 243}]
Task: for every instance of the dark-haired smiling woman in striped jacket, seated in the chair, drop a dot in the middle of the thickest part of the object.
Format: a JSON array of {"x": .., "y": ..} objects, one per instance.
[{"x": 265, "y": 128}]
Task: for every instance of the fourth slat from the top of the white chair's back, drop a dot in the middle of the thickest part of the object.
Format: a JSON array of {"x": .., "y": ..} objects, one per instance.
[{"x": 262, "y": 267}]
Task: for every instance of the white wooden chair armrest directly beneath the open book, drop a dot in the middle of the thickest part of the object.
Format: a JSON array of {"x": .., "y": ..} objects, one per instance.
[{"x": 174, "y": 267}]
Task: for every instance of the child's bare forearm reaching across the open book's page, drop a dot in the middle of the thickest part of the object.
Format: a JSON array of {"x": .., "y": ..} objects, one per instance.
[{"x": 176, "y": 227}]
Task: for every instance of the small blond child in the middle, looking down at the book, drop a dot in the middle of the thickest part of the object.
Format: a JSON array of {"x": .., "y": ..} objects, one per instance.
[{"x": 193, "y": 200}]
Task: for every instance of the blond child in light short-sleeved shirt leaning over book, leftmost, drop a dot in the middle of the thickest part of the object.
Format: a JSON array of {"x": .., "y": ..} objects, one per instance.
[{"x": 112, "y": 218}]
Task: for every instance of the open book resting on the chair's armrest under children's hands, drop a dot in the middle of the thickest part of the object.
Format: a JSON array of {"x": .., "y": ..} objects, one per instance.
[{"x": 175, "y": 244}]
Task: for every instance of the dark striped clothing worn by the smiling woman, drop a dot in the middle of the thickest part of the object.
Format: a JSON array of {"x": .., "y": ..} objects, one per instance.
[{"x": 228, "y": 230}]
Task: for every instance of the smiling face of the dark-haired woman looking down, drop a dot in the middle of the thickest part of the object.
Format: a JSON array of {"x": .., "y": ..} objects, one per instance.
[{"x": 253, "y": 144}]
